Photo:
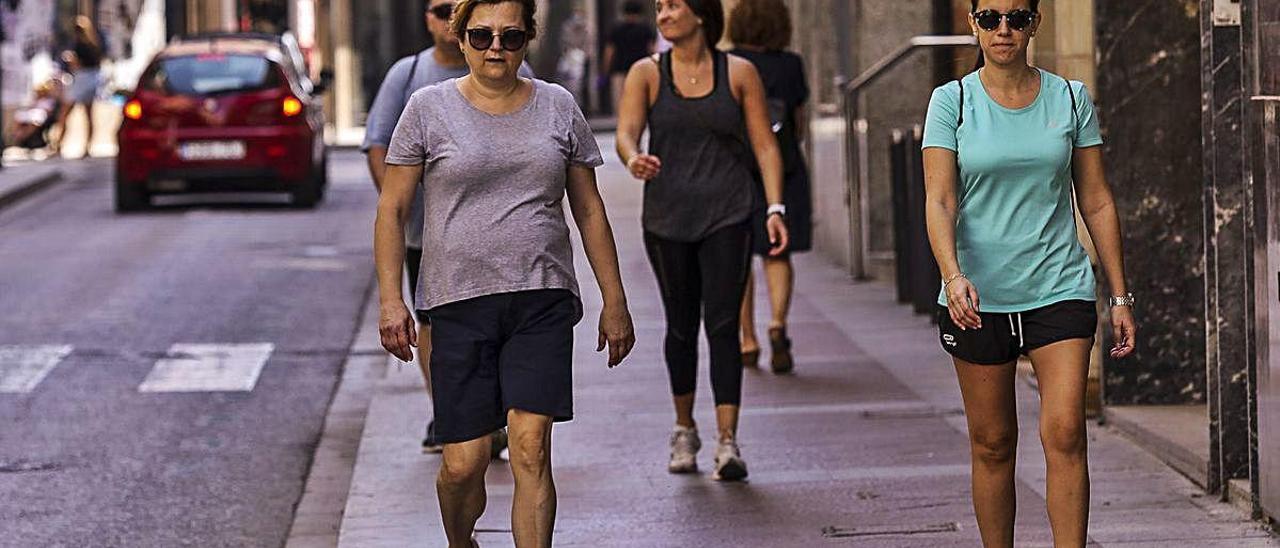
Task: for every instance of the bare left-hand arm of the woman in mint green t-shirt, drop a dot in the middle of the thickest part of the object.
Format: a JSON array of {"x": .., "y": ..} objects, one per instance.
[{"x": 940, "y": 217}]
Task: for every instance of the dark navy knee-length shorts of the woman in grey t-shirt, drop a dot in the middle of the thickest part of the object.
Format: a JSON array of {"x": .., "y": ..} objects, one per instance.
[{"x": 499, "y": 353}]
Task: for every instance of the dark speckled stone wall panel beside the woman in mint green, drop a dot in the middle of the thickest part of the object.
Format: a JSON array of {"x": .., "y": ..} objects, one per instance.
[{"x": 1149, "y": 101}]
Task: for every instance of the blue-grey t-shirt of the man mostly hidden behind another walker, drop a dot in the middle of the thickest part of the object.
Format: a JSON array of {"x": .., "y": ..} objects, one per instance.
[{"x": 390, "y": 103}]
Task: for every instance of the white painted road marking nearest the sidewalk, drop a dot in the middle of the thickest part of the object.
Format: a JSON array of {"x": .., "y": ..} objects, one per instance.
[{"x": 209, "y": 368}]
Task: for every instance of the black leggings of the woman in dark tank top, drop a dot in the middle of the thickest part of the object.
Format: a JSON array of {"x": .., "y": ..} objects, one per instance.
[{"x": 693, "y": 276}]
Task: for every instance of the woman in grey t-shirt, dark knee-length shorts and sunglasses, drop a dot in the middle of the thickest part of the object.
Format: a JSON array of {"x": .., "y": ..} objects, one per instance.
[{"x": 496, "y": 156}]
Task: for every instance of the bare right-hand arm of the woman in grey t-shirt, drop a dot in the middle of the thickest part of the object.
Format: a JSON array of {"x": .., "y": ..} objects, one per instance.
[{"x": 602, "y": 253}]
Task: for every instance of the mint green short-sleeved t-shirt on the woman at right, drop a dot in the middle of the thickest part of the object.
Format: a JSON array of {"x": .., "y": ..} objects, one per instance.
[{"x": 1016, "y": 229}]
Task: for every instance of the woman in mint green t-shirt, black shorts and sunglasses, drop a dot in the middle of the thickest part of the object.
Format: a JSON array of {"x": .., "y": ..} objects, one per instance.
[{"x": 1005, "y": 147}]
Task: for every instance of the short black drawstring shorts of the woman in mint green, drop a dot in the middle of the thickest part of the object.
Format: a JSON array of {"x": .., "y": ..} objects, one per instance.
[{"x": 1004, "y": 337}]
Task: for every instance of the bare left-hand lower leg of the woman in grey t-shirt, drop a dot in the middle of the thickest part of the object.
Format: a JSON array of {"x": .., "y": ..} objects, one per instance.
[{"x": 460, "y": 488}]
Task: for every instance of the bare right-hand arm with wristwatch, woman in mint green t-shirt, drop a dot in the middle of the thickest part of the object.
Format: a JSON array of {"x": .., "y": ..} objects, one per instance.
[{"x": 1099, "y": 211}]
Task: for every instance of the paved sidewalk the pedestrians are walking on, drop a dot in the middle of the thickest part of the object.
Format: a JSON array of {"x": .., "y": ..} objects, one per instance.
[{"x": 863, "y": 446}]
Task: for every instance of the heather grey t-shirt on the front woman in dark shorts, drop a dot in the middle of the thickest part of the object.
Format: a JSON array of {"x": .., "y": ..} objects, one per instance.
[{"x": 495, "y": 189}]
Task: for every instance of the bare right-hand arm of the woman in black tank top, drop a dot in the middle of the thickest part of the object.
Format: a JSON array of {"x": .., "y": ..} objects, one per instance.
[{"x": 760, "y": 131}]
